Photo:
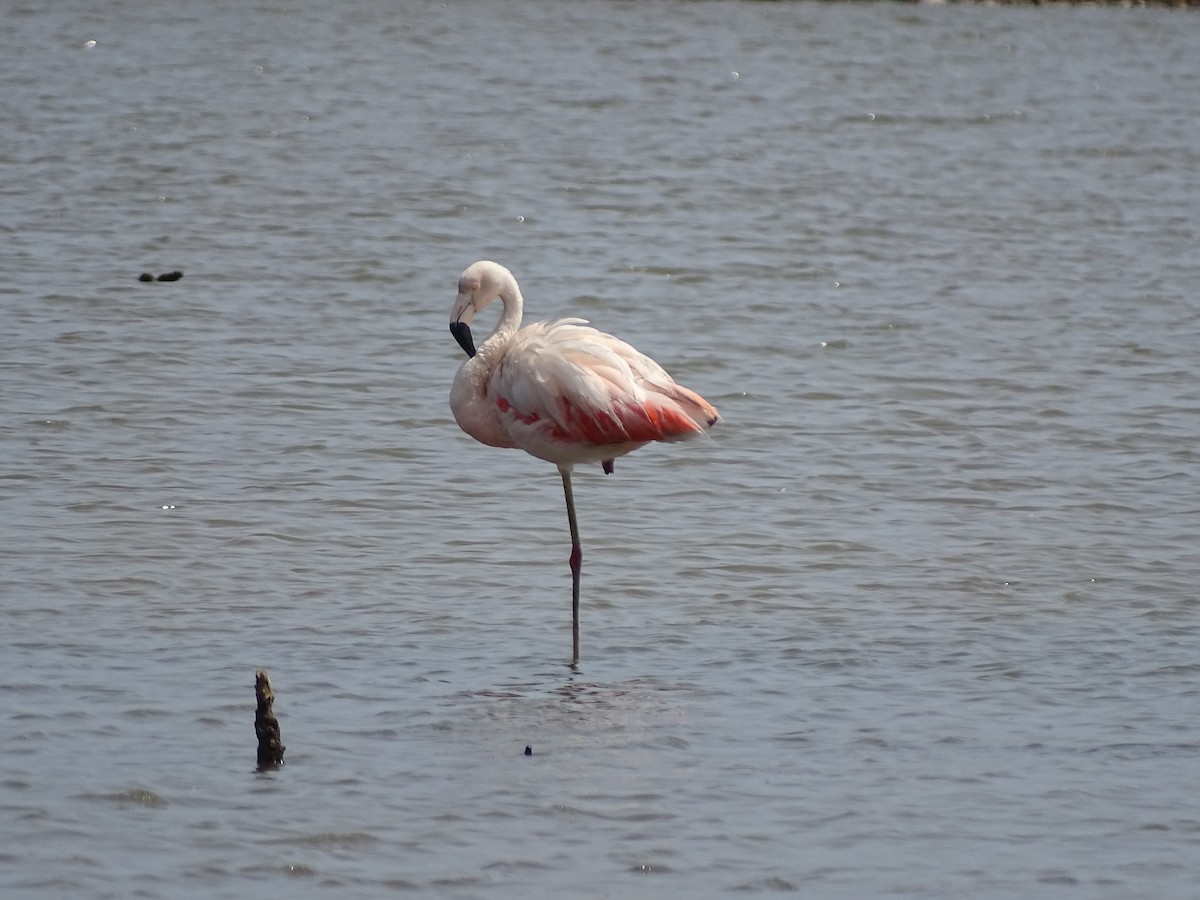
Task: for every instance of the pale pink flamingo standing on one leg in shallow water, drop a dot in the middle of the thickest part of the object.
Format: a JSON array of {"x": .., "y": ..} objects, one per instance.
[{"x": 562, "y": 392}]
